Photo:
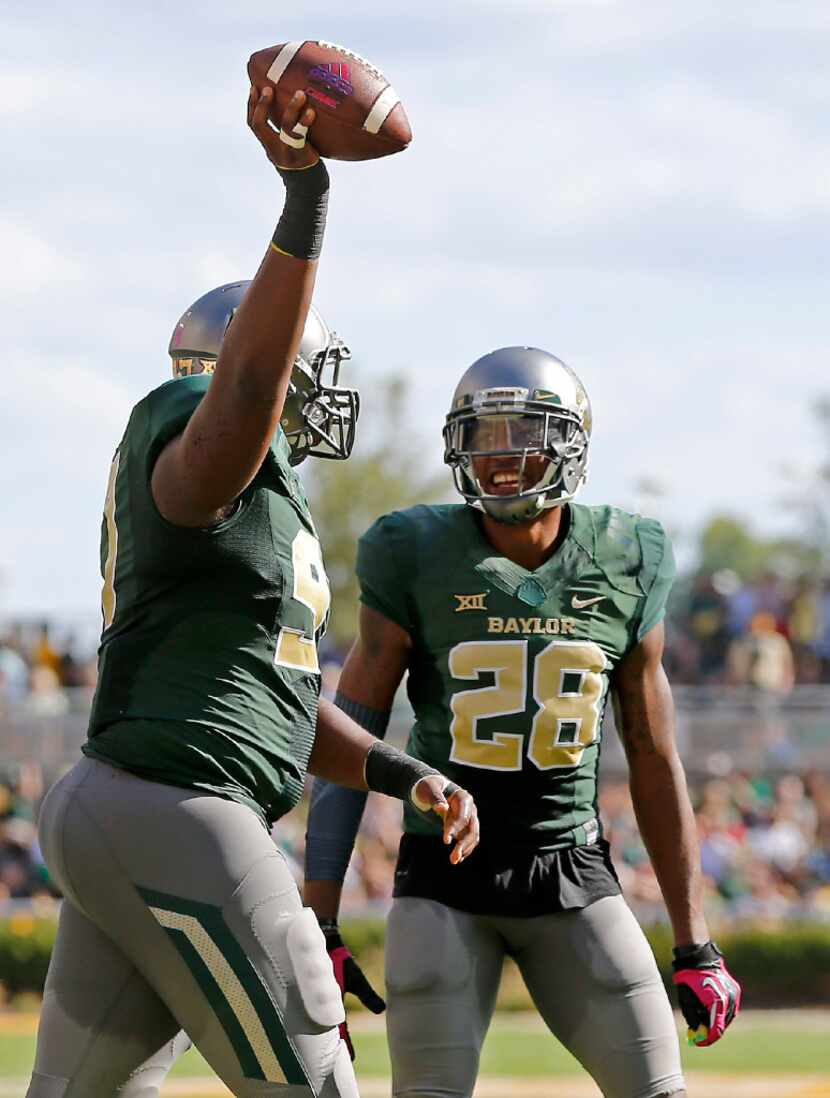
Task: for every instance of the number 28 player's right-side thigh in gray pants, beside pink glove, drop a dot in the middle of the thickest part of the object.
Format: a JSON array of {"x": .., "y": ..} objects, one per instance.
[{"x": 593, "y": 977}]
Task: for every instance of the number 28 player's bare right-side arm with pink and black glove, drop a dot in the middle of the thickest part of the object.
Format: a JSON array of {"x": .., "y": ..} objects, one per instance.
[{"x": 709, "y": 995}]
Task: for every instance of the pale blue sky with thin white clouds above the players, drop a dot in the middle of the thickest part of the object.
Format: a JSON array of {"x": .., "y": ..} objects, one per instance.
[{"x": 641, "y": 188}]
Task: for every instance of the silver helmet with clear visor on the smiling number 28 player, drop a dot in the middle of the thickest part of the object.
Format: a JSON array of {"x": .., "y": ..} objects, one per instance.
[{"x": 519, "y": 404}]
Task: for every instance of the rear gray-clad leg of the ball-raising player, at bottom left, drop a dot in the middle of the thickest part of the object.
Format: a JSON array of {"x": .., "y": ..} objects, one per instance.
[{"x": 104, "y": 1030}]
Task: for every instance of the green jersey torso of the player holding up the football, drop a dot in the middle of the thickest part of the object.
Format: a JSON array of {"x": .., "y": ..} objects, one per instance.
[{"x": 208, "y": 666}]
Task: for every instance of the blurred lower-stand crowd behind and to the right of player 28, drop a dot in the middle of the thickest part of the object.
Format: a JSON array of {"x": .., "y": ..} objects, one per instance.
[{"x": 765, "y": 847}]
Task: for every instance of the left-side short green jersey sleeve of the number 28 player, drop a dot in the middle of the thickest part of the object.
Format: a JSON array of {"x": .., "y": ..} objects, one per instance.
[{"x": 385, "y": 564}]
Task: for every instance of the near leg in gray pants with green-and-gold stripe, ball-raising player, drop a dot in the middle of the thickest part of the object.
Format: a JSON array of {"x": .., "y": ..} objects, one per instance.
[{"x": 194, "y": 891}]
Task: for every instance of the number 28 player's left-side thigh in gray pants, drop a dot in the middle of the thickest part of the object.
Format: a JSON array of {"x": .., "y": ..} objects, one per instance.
[{"x": 443, "y": 972}]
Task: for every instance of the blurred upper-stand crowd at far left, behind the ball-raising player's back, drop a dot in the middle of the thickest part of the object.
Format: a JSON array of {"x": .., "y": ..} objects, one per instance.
[{"x": 37, "y": 671}]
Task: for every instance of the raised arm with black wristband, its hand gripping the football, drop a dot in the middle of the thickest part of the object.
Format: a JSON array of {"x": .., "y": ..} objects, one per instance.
[{"x": 203, "y": 472}]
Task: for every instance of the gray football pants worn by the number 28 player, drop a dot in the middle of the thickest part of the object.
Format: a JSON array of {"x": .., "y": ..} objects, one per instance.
[{"x": 591, "y": 974}]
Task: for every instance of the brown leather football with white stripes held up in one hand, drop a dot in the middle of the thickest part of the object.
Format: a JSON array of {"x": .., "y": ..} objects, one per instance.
[{"x": 360, "y": 115}]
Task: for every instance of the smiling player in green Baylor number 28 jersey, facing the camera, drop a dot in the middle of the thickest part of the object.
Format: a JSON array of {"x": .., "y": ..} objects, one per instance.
[{"x": 515, "y": 615}]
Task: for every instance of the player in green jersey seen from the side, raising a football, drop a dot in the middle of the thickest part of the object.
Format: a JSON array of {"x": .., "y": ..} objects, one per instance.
[{"x": 180, "y": 912}]
